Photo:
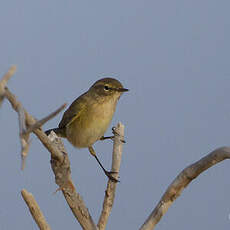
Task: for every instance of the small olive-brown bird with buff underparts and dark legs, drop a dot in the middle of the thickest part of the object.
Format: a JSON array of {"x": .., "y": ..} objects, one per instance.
[{"x": 88, "y": 117}]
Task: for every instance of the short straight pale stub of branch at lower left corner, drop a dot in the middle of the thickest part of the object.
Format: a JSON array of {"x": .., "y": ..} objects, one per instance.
[{"x": 35, "y": 210}]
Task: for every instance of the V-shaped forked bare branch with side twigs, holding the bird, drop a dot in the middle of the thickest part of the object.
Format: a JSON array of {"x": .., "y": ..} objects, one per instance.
[{"x": 60, "y": 163}]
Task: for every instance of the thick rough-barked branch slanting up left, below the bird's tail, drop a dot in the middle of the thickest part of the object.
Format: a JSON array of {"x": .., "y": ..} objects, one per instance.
[{"x": 61, "y": 167}]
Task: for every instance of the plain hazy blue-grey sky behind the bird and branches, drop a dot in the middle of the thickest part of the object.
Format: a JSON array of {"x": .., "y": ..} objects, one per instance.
[{"x": 172, "y": 55}]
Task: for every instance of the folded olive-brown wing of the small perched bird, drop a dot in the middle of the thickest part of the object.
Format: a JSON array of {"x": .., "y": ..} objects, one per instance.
[{"x": 73, "y": 111}]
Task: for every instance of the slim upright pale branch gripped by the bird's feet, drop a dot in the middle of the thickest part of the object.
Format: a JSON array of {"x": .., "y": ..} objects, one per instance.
[{"x": 111, "y": 186}]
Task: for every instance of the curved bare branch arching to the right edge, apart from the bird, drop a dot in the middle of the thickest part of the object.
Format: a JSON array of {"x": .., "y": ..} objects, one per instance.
[{"x": 181, "y": 181}]
